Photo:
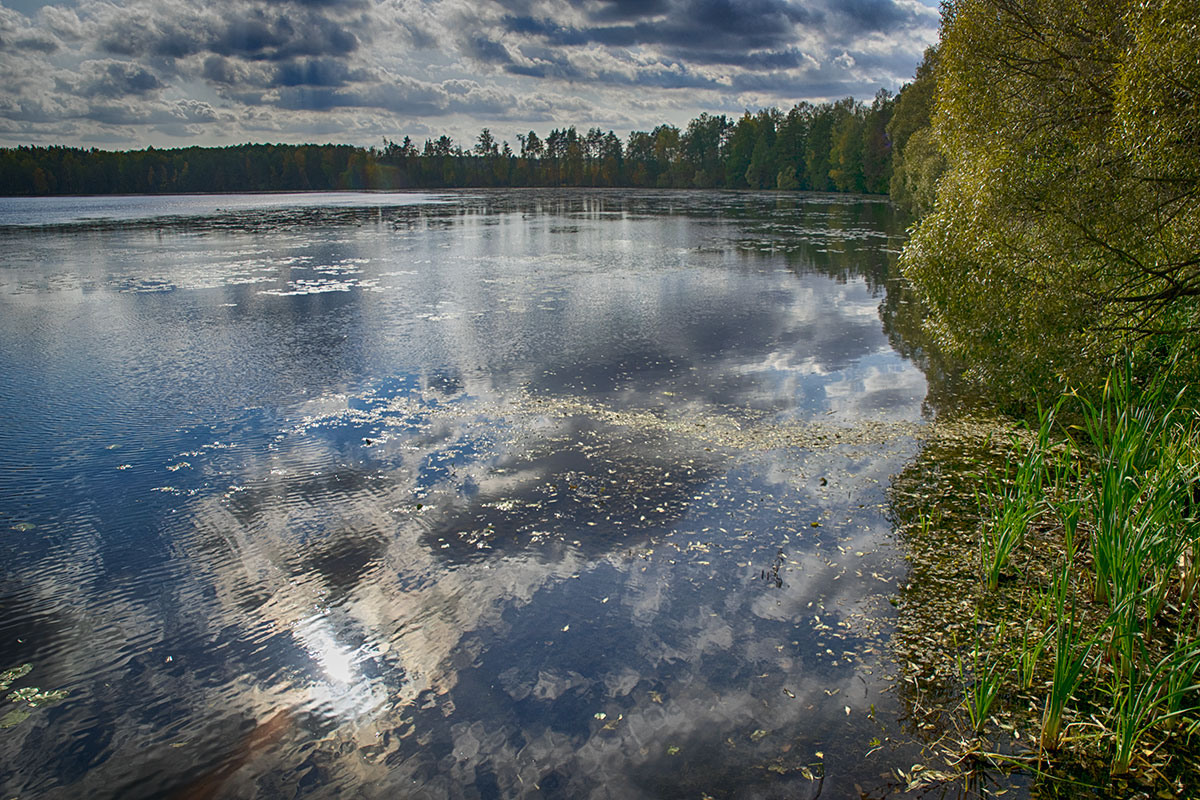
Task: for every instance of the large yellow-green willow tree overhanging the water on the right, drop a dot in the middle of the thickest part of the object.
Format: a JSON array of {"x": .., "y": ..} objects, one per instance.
[{"x": 1067, "y": 227}]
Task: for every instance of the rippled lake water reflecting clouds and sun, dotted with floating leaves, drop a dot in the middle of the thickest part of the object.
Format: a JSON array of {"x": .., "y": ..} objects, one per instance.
[{"x": 515, "y": 495}]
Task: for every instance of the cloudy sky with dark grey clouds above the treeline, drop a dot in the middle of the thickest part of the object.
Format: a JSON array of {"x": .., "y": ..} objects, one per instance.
[{"x": 165, "y": 74}]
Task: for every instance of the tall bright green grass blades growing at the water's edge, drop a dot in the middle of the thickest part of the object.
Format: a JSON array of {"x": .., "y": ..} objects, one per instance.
[{"x": 1125, "y": 485}]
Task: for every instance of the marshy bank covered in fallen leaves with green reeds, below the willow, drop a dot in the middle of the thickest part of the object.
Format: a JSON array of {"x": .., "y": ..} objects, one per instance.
[{"x": 1048, "y": 633}]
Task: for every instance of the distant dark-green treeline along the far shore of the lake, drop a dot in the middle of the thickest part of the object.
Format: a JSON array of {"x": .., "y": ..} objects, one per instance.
[{"x": 842, "y": 147}]
